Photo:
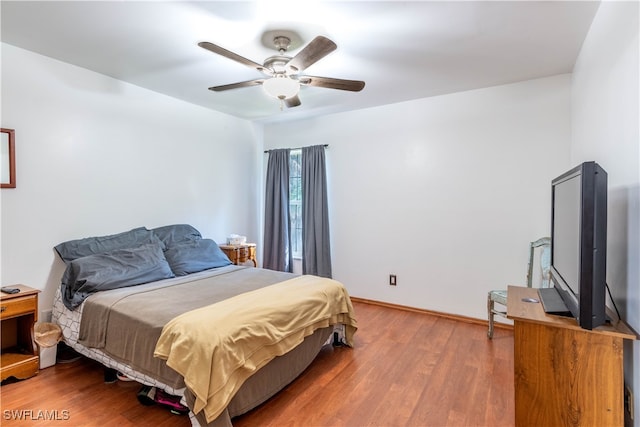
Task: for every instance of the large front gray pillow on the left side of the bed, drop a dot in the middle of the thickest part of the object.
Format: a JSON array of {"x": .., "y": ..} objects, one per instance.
[{"x": 111, "y": 270}]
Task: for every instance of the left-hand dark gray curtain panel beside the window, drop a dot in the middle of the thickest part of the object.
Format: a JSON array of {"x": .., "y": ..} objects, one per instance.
[{"x": 277, "y": 228}]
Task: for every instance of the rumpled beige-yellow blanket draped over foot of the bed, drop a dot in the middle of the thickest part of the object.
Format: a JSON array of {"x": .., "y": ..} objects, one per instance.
[{"x": 216, "y": 348}]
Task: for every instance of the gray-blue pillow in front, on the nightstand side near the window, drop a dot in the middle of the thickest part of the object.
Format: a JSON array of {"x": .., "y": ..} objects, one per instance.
[{"x": 197, "y": 255}]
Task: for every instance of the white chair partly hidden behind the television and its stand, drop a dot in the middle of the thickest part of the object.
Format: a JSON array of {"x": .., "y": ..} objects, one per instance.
[{"x": 543, "y": 246}]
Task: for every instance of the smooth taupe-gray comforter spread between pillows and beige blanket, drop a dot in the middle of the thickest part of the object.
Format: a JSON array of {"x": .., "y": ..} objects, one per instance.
[{"x": 126, "y": 323}]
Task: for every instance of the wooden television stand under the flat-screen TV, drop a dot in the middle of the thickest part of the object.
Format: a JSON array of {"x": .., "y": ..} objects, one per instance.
[{"x": 564, "y": 375}]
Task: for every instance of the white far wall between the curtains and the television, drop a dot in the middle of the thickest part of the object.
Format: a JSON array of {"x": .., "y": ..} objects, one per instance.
[{"x": 445, "y": 192}]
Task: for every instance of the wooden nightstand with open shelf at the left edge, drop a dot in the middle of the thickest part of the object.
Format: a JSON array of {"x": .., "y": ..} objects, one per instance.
[{"x": 18, "y": 313}]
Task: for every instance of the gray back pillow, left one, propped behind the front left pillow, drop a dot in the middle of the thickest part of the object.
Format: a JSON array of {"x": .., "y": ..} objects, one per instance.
[{"x": 79, "y": 248}]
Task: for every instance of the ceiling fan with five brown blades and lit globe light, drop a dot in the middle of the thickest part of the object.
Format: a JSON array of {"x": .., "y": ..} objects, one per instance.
[{"x": 283, "y": 73}]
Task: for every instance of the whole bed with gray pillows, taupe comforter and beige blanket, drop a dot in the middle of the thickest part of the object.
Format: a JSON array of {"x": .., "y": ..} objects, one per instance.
[{"x": 168, "y": 309}]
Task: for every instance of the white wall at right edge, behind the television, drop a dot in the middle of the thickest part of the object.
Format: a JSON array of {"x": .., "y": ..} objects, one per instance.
[{"x": 606, "y": 128}]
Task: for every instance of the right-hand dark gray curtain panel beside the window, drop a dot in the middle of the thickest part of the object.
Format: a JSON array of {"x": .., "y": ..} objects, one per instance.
[{"x": 316, "y": 250}]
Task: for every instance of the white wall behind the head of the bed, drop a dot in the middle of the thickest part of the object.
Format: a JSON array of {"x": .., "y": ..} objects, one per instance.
[{"x": 98, "y": 156}]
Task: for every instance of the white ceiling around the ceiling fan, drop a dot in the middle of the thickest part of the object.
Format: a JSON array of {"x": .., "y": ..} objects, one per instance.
[{"x": 403, "y": 50}]
